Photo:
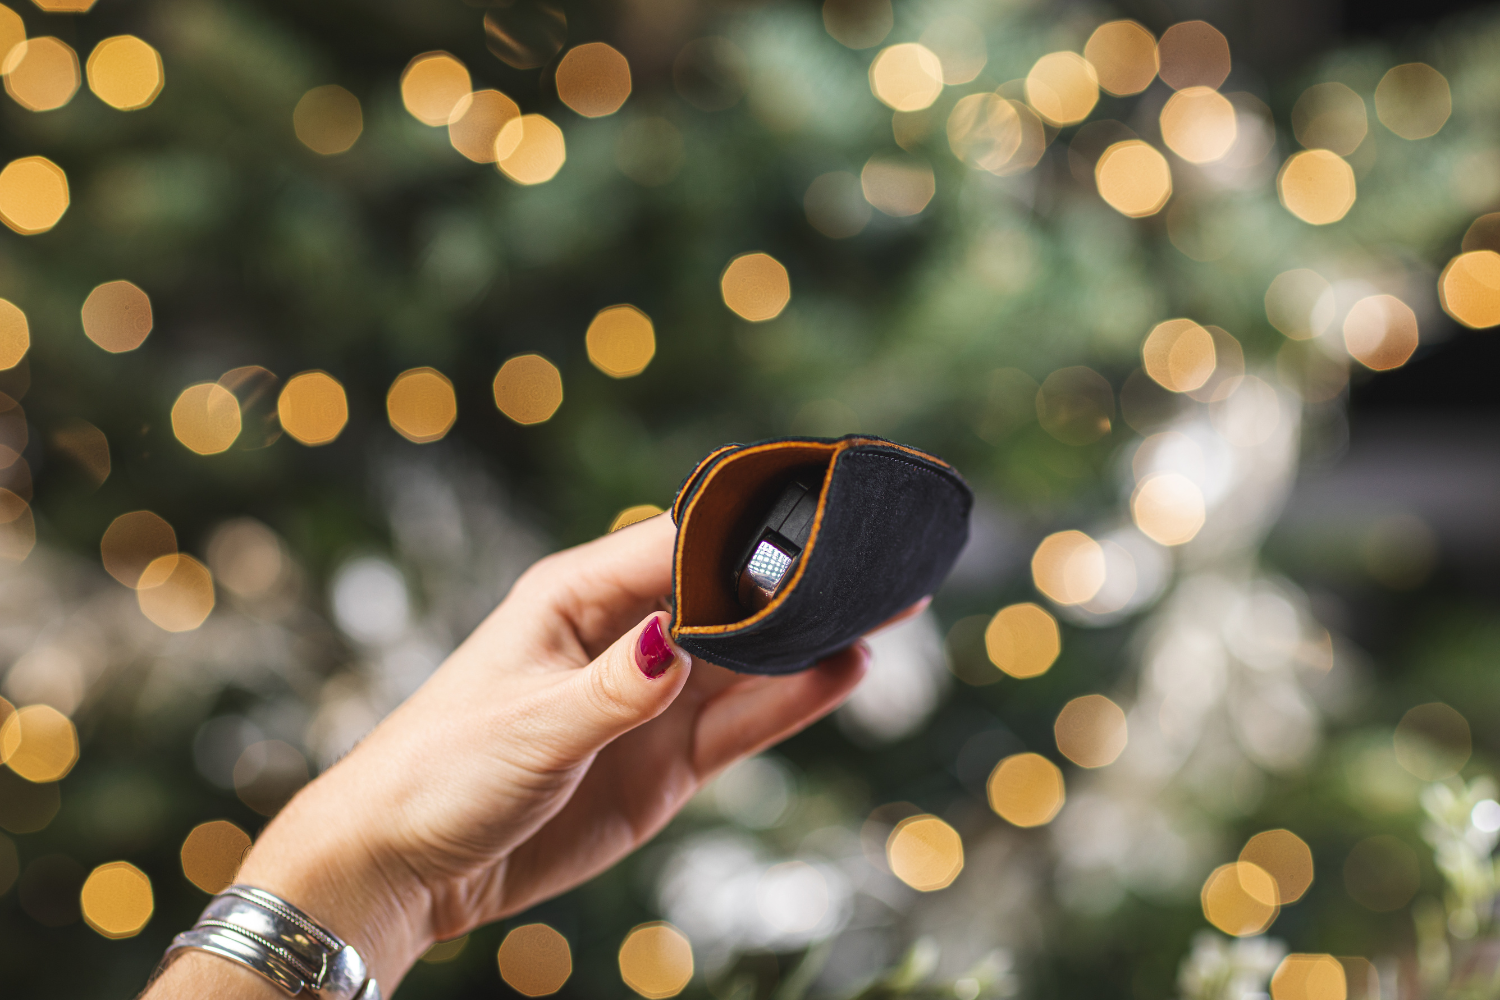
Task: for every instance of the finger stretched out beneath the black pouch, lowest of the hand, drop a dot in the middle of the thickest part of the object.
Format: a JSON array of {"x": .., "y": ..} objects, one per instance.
[{"x": 755, "y": 714}]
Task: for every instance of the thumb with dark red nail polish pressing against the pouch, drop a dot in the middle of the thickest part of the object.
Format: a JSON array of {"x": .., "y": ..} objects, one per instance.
[{"x": 629, "y": 684}]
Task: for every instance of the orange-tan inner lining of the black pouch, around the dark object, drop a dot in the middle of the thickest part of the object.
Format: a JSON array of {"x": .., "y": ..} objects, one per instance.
[{"x": 710, "y": 521}]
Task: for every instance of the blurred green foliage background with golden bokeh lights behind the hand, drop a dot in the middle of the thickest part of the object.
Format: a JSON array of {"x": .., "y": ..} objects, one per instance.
[{"x": 320, "y": 323}]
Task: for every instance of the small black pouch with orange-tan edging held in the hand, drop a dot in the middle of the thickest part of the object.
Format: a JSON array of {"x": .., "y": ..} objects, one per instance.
[{"x": 889, "y": 527}]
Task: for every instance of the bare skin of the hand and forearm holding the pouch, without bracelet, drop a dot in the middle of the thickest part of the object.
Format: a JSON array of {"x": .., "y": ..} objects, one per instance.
[{"x": 535, "y": 758}]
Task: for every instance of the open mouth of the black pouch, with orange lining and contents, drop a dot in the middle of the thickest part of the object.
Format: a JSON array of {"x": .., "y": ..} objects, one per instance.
[{"x": 746, "y": 530}]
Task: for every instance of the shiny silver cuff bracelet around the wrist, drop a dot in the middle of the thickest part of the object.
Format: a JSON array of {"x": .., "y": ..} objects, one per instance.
[{"x": 275, "y": 939}]
